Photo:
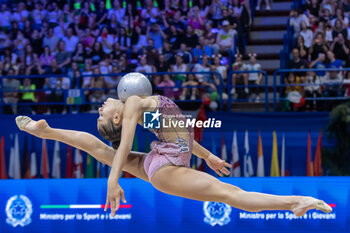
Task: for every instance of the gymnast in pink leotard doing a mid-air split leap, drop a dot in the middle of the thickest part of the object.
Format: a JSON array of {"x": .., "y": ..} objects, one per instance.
[{"x": 167, "y": 165}]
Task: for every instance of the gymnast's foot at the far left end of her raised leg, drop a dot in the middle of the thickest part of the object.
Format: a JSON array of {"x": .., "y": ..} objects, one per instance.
[{"x": 36, "y": 128}]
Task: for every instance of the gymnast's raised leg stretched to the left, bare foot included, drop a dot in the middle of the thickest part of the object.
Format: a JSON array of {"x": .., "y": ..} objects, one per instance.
[{"x": 83, "y": 141}]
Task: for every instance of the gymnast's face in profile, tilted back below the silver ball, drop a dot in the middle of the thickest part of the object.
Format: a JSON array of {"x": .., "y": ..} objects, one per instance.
[{"x": 111, "y": 110}]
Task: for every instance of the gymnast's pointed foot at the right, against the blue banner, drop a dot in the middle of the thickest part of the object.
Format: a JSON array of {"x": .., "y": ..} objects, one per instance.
[{"x": 308, "y": 203}]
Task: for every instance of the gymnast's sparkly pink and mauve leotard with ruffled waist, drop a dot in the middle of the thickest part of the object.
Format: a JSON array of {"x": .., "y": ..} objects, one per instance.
[{"x": 175, "y": 144}]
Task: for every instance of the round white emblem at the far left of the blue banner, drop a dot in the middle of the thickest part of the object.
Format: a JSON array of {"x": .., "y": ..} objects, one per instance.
[{"x": 18, "y": 211}]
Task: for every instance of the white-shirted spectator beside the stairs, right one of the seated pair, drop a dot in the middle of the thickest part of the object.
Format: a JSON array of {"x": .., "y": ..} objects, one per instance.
[{"x": 254, "y": 78}]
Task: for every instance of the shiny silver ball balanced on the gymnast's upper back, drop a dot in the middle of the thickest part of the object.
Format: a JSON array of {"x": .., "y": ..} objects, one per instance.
[{"x": 134, "y": 84}]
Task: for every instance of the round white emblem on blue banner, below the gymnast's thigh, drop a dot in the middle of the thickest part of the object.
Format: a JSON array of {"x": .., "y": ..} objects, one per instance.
[{"x": 216, "y": 213}]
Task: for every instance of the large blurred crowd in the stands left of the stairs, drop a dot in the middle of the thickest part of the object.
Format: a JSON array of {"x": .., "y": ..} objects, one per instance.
[{"x": 69, "y": 40}]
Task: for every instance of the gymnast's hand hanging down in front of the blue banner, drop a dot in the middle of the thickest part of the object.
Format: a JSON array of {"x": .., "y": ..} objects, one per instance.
[{"x": 114, "y": 194}]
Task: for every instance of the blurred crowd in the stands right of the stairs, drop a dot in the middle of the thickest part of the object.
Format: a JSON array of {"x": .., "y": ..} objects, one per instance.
[{"x": 321, "y": 40}]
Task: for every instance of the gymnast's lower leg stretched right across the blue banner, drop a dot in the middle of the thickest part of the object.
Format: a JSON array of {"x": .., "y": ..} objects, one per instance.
[{"x": 189, "y": 183}]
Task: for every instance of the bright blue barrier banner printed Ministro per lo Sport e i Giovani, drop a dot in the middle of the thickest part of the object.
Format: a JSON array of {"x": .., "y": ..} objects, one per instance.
[{"x": 76, "y": 205}]
